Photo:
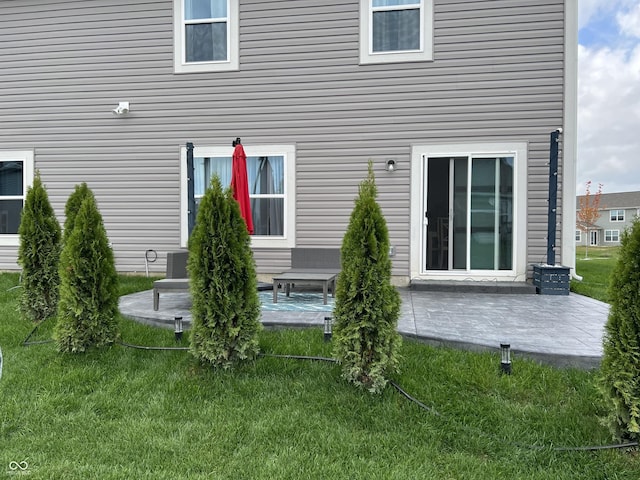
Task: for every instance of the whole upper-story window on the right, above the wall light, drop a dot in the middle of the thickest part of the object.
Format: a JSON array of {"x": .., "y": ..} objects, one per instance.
[{"x": 396, "y": 31}]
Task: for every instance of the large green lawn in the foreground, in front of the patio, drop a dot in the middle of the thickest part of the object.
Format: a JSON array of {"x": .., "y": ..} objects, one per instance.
[{"x": 126, "y": 413}]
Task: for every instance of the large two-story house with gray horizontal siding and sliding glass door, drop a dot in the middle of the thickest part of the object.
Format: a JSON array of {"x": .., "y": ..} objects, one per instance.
[{"x": 462, "y": 96}]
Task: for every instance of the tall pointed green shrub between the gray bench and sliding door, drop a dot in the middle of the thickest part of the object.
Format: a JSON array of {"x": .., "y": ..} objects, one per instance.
[{"x": 367, "y": 308}]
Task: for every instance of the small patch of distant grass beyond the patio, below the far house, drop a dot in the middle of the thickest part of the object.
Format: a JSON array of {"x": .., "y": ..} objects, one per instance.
[{"x": 595, "y": 271}]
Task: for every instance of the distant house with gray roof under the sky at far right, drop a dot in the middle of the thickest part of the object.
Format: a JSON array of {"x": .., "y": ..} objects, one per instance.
[{"x": 617, "y": 212}]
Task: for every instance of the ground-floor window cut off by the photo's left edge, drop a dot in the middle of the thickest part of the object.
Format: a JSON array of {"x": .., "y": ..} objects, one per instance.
[{"x": 16, "y": 175}]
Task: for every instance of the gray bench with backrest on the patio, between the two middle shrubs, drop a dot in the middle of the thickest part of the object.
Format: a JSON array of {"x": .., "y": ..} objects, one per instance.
[{"x": 310, "y": 266}]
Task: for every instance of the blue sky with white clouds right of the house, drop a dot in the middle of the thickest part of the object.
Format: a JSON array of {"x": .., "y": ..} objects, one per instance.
[{"x": 609, "y": 95}]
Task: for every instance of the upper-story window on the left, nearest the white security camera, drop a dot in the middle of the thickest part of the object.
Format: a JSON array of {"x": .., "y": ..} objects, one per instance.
[{"x": 205, "y": 35}]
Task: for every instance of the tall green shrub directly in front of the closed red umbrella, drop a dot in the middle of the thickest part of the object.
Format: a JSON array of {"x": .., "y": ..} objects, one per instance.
[{"x": 226, "y": 306}]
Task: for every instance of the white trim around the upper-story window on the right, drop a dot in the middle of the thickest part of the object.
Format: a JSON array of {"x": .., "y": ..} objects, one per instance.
[{"x": 366, "y": 43}]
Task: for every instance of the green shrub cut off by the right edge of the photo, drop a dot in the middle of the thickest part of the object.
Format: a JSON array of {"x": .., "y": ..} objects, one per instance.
[{"x": 620, "y": 370}]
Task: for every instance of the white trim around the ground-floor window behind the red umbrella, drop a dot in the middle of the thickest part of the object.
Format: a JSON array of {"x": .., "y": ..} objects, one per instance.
[{"x": 257, "y": 241}]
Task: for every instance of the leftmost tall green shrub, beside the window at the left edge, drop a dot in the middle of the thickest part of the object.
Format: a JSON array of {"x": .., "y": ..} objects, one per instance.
[{"x": 38, "y": 255}]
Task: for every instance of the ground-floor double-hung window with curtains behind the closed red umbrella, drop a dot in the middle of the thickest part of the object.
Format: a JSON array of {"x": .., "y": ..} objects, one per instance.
[{"x": 271, "y": 178}]
